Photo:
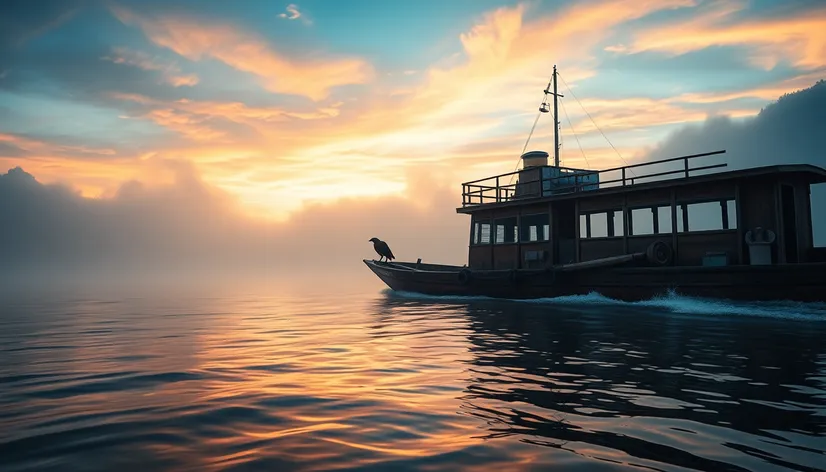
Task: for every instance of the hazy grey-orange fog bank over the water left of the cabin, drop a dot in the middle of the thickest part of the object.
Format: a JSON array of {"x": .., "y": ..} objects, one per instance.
[{"x": 191, "y": 230}]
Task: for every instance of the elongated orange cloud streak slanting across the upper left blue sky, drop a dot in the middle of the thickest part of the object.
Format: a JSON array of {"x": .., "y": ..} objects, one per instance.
[{"x": 247, "y": 52}]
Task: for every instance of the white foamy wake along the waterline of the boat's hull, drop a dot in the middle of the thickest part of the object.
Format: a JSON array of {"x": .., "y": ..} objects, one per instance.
[{"x": 670, "y": 302}]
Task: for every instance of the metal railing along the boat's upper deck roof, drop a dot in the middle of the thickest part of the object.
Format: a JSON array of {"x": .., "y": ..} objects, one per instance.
[{"x": 544, "y": 181}]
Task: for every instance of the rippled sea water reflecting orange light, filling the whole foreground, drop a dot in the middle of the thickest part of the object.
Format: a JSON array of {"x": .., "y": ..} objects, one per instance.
[{"x": 371, "y": 380}]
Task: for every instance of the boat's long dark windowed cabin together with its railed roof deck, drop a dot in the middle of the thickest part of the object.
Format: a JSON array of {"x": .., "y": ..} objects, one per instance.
[{"x": 555, "y": 215}]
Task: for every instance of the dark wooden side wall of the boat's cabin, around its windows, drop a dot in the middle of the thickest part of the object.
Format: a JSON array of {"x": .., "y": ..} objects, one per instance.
[{"x": 757, "y": 201}]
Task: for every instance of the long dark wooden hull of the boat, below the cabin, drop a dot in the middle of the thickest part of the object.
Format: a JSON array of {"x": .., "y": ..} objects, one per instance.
[{"x": 794, "y": 282}]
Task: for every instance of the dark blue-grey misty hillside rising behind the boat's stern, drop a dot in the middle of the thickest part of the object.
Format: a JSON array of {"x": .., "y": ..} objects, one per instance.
[{"x": 788, "y": 131}]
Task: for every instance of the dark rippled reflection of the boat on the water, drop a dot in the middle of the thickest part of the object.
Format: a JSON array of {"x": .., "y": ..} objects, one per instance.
[{"x": 634, "y": 386}]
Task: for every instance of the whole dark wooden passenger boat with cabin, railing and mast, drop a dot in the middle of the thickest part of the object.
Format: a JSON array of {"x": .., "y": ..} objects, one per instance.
[{"x": 632, "y": 232}]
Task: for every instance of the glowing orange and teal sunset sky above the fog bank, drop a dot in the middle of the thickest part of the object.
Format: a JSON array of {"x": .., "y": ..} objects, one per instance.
[{"x": 278, "y": 126}]
